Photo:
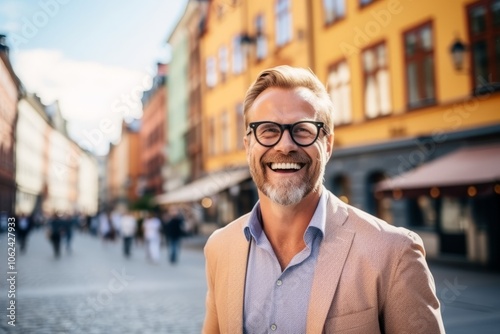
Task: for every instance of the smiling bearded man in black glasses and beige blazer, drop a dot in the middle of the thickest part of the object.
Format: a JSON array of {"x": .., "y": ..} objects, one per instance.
[{"x": 302, "y": 261}]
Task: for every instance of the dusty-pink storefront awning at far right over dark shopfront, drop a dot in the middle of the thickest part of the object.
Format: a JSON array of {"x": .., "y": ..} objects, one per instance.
[{"x": 467, "y": 171}]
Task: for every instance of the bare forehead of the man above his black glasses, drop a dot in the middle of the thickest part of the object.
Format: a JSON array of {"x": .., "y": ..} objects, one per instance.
[{"x": 284, "y": 104}]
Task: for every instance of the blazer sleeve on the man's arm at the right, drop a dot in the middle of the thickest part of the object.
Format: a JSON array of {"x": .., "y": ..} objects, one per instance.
[{"x": 411, "y": 302}]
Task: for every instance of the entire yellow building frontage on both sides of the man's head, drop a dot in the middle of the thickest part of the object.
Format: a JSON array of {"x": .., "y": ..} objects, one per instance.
[{"x": 414, "y": 85}]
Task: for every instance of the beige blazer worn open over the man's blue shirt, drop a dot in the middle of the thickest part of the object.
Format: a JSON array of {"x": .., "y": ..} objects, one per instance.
[{"x": 370, "y": 277}]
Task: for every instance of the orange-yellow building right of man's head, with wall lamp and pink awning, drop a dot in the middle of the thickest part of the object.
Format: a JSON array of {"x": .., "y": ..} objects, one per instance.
[{"x": 409, "y": 114}]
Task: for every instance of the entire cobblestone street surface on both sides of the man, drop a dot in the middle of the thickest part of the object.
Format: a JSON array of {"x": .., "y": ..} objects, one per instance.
[{"x": 96, "y": 290}]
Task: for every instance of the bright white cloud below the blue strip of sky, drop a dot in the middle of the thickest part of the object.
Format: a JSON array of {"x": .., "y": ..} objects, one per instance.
[{"x": 89, "y": 94}]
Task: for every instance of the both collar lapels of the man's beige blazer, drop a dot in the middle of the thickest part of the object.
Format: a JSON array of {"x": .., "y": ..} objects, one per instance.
[{"x": 332, "y": 256}]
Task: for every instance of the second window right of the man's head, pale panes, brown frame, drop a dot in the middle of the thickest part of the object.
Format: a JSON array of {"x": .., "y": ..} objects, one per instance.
[{"x": 377, "y": 82}]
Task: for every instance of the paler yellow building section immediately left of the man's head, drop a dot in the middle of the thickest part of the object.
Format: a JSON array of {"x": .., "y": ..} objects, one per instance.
[{"x": 240, "y": 39}]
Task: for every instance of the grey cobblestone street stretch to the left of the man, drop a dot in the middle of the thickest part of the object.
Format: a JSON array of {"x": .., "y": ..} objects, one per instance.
[{"x": 96, "y": 290}]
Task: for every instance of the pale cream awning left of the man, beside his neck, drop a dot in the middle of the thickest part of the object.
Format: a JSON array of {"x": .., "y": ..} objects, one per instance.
[{"x": 204, "y": 187}]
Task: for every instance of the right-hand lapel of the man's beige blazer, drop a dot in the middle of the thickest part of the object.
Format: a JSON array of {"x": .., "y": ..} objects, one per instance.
[{"x": 332, "y": 256}]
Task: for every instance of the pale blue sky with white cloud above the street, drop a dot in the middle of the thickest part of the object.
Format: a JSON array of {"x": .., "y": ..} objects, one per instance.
[{"x": 94, "y": 57}]
